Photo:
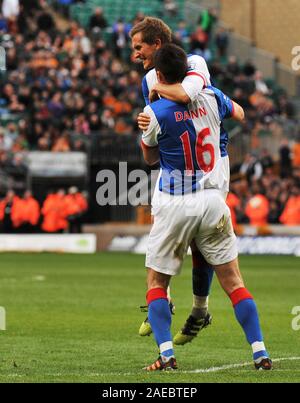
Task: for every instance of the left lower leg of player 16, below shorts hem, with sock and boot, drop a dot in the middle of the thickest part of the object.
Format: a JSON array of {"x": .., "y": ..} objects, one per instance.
[{"x": 160, "y": 320}]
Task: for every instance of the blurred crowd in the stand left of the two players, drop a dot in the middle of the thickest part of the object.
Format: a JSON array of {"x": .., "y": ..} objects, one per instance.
[{"x": 63, "y": 82}]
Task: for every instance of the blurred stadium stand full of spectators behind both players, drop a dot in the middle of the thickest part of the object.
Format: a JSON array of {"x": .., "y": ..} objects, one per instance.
[{"x": 71, "y": 88}]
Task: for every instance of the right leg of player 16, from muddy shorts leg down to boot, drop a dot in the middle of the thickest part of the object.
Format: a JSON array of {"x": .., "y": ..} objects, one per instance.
[{"x": 217, "y": 242}]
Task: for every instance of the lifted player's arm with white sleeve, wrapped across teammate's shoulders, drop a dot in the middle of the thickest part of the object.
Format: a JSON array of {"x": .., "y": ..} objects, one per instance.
[{"x": 196, "y": 79}]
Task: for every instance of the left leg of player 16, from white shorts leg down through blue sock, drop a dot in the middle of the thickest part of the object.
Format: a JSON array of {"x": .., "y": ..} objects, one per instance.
[{"x": 170, "y": 236}]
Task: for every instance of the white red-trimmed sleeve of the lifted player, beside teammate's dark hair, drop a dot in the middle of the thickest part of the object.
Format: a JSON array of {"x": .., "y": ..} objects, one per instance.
[{"x": 197, "y": 77}]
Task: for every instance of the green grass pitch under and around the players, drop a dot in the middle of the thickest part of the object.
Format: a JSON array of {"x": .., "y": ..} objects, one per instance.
[{"x": 75, "y": 318}]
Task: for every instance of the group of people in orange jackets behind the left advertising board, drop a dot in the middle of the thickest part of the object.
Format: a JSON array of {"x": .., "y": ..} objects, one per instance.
[{"x": 59, "y": 212}]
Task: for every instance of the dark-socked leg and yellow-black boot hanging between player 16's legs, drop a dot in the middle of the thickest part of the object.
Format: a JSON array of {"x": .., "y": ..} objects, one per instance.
[{"x": 199, "y": 317}]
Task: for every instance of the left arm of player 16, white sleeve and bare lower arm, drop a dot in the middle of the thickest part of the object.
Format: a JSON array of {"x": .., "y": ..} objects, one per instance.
[{"x": 149, "y": 142}]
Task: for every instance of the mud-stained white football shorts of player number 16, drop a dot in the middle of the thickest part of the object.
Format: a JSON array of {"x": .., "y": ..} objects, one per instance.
[{"x": 202, "y": 216}]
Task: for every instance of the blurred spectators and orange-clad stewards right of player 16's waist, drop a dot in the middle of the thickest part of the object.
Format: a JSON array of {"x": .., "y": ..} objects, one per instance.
[{"x": 267, "y": 192}]
